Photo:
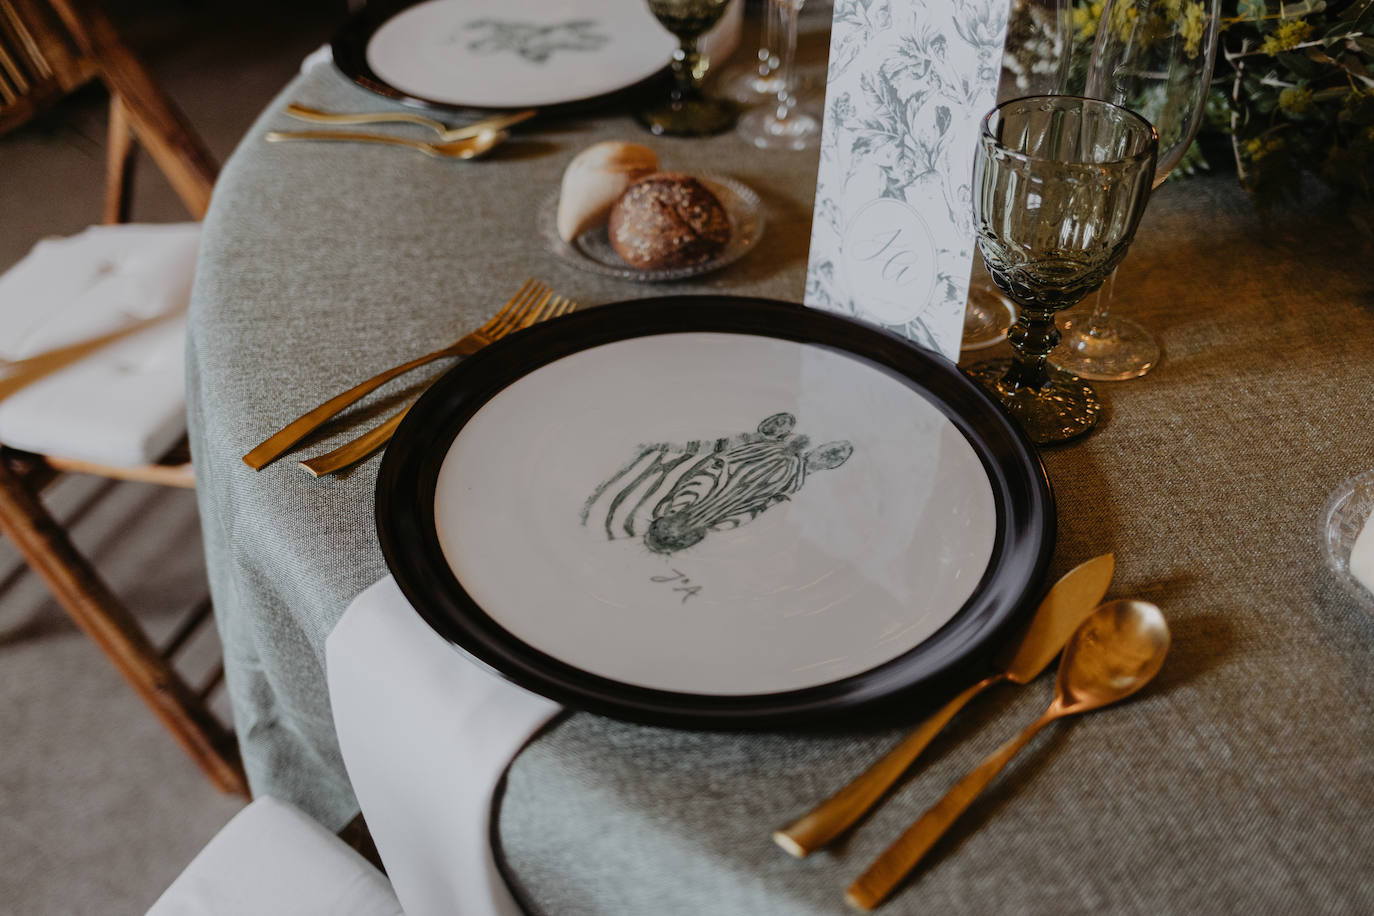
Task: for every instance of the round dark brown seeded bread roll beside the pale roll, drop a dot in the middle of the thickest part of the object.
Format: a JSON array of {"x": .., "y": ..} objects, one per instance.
[{"x": 668, "y": 220}]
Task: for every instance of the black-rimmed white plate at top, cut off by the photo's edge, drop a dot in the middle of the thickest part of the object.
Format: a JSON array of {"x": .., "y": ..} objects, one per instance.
[{"x": 476, "y": 57}]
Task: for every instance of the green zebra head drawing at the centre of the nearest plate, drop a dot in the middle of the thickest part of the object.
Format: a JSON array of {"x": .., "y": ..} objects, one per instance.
[{"x": 673, "y": 495}]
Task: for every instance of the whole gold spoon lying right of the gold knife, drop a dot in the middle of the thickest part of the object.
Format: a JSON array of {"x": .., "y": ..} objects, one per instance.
[{"x": 1112, "y": 656}]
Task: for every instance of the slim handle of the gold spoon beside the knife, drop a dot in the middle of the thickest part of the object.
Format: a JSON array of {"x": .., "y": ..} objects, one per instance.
[{"x": 898, "y": 860}]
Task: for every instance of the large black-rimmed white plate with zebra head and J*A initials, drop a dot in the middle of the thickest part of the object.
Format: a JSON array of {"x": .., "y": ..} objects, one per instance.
[{"x": 715, "y": 512}]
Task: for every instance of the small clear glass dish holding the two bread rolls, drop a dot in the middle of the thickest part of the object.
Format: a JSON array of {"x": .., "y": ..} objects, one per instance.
[{"x": 593, "y": 252}]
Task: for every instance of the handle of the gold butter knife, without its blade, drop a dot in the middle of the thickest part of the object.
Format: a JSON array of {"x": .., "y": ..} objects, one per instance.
[{"x": 839, "y": 814}]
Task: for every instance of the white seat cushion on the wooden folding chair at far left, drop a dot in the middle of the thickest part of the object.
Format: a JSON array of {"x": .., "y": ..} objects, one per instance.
[{"x": 91, "y": 356}]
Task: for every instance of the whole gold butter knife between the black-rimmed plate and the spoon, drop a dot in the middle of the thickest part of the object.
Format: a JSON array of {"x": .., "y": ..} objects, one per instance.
[{"x": 1068, "y": 604}]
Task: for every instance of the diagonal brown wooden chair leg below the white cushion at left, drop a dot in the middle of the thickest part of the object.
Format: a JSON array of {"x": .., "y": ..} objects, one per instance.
[{"x": 93, "y": 606}]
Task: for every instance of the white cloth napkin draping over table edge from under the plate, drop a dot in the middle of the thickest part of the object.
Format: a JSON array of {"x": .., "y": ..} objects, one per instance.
[{"x": 427, "y": 735}]
